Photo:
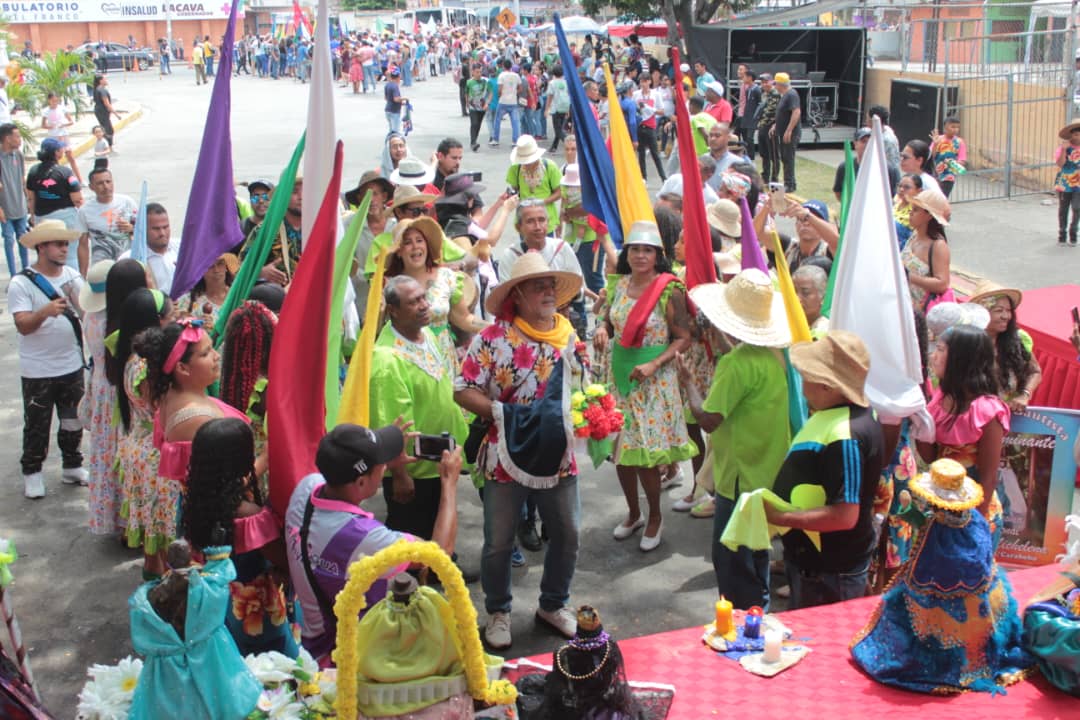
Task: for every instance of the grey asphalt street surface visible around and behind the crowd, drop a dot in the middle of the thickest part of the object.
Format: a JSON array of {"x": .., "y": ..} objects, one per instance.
[{"x": 72, "y": 588}]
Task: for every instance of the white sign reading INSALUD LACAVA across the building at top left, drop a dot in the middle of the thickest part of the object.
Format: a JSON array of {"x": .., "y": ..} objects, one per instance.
[{"x": 105, "y": 11}]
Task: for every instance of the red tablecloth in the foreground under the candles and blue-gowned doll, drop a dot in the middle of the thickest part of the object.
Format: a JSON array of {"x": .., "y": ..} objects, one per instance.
[{"x": 827, "y": 684}]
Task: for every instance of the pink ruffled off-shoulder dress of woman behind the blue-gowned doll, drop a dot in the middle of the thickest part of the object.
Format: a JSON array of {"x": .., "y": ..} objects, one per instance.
[{"x": 958, "y": 436}]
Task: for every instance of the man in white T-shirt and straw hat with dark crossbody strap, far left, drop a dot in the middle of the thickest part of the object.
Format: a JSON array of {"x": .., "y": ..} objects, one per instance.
[{"x": 44, "y": 303}]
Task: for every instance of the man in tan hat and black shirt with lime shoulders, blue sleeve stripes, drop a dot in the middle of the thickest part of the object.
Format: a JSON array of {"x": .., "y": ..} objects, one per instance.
[{"x": 840, "y": 454}]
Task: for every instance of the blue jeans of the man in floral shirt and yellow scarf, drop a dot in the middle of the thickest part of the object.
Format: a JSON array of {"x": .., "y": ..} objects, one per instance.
[{"x": 561, "y": 513}]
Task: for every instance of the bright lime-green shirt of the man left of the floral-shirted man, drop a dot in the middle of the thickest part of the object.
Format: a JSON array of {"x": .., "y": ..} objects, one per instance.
[{"x": 415, "y": 382}]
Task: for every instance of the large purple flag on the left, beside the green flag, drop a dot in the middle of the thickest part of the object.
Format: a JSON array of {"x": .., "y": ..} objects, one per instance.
[{"x": 212, "y": 226}]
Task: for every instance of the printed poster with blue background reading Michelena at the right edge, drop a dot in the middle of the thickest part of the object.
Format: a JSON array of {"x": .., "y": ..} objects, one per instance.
[{"x": 1035, "y": 484}]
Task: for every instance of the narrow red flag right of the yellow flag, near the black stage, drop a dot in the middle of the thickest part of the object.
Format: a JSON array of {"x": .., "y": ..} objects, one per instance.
[{"x": 700, "y": 267}]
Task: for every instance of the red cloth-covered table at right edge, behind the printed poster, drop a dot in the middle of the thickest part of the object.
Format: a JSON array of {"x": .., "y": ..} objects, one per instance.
[{"x": 1046, "y": 315}]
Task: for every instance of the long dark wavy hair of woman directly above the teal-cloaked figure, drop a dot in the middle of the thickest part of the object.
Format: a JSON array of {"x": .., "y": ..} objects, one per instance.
[{"x": 223, "y": 464}]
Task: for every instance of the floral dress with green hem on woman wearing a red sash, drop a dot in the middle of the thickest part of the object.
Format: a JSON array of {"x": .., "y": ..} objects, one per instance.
[{"x": 655, "y": 432}]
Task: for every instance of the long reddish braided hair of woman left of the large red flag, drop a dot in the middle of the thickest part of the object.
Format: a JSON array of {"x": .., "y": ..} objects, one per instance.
[{"x": 247, "y": 351}]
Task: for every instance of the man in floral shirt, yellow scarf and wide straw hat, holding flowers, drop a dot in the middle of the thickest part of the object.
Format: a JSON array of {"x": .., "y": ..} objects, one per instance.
[{"x": 517, "y": 377}]
